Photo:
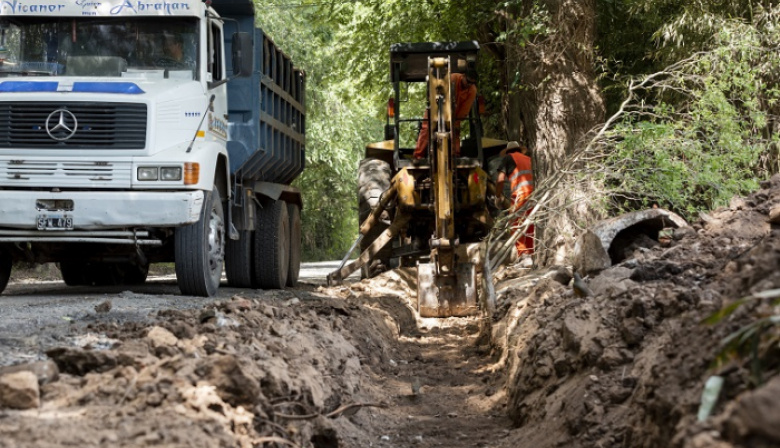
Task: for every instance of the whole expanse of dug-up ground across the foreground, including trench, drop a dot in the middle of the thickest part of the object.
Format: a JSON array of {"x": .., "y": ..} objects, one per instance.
[{"x": 355, "y": 367}]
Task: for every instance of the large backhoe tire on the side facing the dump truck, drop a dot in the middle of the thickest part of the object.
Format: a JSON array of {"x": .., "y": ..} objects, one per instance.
[{"x": 374, "y": 177}]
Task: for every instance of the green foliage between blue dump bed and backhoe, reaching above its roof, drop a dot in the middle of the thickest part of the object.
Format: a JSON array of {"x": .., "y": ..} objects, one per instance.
[{"x": 343, "y": 46}]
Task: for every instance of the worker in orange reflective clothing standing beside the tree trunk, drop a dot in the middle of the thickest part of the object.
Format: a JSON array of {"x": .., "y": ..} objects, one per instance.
[{"x": 516, "y": 165}]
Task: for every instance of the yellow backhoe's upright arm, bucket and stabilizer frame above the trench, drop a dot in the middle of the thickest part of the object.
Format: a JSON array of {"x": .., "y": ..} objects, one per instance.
[{"x": 435, "y": 201}]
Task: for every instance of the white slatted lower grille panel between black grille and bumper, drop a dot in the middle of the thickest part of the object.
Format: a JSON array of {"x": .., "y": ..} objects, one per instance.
[{"x": 64, "y": 174}]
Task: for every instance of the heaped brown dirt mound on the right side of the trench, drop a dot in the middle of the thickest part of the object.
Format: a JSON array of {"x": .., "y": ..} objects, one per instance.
[{"x": 626, "y": 366}]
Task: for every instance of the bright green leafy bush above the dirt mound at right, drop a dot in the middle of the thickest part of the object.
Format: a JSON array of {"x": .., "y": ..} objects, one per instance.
[{"x": 696, "y": 136}]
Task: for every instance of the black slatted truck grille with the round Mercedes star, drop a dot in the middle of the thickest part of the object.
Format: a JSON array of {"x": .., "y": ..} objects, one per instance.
[{"x": 96, "y": 125}]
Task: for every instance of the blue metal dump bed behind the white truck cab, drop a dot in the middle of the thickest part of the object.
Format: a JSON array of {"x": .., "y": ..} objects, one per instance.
[{"x": 267, "y": 119}]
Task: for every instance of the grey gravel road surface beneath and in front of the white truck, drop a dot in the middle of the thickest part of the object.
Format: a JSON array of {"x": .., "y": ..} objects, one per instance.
[{"x": 38, "y": 310}]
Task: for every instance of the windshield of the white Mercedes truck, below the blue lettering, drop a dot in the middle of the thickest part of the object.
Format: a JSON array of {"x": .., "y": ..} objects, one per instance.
[{"x": 116, "y": 47}]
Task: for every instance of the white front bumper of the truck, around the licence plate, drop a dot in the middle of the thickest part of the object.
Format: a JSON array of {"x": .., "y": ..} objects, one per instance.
[{"x": 95, "y": 210}]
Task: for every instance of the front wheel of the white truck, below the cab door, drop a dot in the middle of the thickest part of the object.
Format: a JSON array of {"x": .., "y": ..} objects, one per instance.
[{"x": 200, "y": 249}]
